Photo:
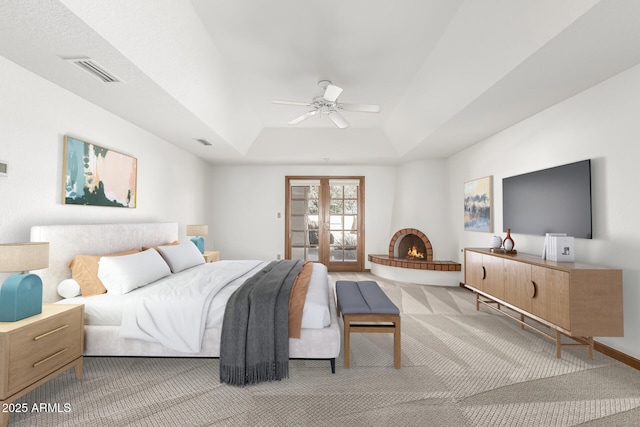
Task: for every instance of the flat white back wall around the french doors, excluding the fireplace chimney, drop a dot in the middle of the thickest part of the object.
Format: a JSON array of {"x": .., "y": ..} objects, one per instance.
[{"x": 247, "y": 200}]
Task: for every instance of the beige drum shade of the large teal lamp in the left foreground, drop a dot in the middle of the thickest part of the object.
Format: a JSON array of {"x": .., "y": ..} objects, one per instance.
[{"x": 24, "y": 256}]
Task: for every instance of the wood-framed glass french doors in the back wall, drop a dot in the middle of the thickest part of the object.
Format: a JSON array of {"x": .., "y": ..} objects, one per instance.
[{"x": 324, "y": 221}]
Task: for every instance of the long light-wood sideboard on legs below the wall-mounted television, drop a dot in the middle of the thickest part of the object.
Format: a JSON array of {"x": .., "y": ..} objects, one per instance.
[{"x": 573, "y": 299}]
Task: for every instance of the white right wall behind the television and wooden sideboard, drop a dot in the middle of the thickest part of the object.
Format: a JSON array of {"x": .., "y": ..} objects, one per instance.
[{"x": 602, "y": 124}]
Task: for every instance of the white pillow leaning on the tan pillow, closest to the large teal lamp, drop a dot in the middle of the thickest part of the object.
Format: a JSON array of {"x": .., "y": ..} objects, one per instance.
[{"x": 122, "y": 274}]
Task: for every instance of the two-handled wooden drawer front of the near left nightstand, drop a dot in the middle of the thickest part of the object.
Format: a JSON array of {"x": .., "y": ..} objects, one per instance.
[{"x": 40, "y": 348}]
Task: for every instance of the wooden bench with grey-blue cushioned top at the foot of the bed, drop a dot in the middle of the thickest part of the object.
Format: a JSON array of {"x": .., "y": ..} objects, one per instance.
[{"x": 364, "y": 301}]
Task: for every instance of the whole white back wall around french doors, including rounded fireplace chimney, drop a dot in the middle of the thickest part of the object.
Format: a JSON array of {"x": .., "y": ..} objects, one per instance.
[{"x": 411, "y": 195}]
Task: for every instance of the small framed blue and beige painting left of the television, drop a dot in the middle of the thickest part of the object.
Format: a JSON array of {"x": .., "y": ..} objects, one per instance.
[{"x": 478, "y": 204}]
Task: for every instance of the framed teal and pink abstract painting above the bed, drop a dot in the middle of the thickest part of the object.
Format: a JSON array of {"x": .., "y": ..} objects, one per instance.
[{"x": 98, "y": 176}]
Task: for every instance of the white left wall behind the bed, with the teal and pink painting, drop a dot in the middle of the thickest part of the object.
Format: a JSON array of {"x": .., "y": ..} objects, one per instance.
[{"x": 34, "y": 117}]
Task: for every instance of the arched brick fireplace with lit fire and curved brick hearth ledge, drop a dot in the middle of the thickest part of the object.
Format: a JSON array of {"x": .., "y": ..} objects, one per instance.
[{"x": 404, "y": 246}]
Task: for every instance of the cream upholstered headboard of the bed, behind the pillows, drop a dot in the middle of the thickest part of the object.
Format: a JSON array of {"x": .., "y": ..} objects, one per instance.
[{"x": 67, "y": 241}]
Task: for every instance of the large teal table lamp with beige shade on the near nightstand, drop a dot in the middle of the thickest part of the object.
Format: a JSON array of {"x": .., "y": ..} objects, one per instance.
[{"x": 21, "y": 294}]
